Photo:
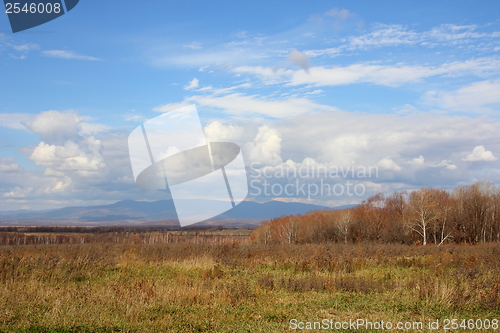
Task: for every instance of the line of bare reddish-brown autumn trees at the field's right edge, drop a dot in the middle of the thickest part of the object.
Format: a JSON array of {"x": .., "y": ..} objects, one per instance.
[{"x": 468, "y": 214}]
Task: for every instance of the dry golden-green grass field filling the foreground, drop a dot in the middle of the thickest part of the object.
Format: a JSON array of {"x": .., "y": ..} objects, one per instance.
[{"x": 242, "y": 287}]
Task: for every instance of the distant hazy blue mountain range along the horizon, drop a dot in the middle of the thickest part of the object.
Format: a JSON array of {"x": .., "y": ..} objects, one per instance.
[{"x": 130, "y": 212}]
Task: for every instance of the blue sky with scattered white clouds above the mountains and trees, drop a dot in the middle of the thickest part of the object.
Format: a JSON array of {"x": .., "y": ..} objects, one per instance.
[{"x": 409, "y": 87}]
